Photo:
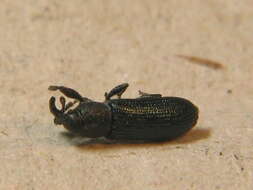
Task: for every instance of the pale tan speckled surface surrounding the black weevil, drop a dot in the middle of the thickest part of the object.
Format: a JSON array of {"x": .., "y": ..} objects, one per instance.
[{"x": 92, "y": 46}]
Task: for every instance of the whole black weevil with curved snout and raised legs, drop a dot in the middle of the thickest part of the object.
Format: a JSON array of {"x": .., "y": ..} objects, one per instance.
[{"x": 149, "y": 117}]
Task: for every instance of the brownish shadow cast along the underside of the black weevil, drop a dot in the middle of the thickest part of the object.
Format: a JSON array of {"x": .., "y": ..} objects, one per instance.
[{"x": 102, "y": 143}]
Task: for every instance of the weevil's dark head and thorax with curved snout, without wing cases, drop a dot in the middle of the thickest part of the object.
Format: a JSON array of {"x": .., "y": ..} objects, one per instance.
[{"x": 89, "y": 119}]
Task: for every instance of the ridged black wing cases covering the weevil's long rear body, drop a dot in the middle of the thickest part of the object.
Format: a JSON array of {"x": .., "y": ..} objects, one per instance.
[{"x": 151, "y": 118}]
